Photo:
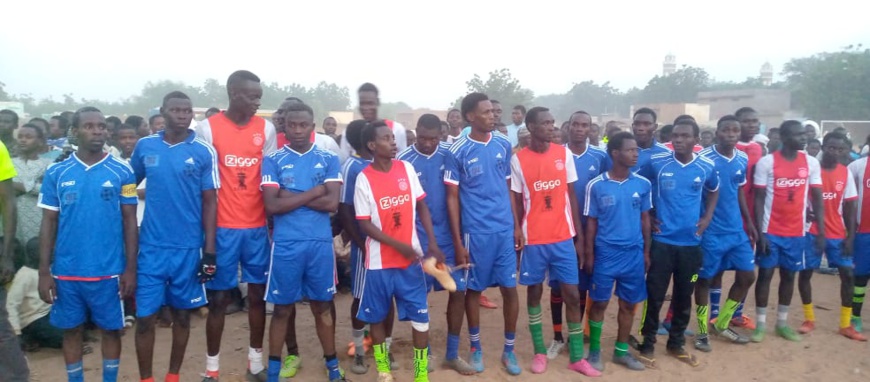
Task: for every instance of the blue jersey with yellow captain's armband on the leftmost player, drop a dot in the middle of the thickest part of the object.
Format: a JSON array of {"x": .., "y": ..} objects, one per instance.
[{"x": 90, "y": 229}]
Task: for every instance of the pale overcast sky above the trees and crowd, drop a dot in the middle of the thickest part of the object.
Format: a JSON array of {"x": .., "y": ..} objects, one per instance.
[{"x": 420, "y": 52}]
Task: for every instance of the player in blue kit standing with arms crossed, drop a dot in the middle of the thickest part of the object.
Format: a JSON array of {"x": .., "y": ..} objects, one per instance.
[{"x": 301, "y": 185}]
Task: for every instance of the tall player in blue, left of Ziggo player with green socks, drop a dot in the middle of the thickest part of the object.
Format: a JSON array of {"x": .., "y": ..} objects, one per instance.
[{"x": 478, "y": 179}]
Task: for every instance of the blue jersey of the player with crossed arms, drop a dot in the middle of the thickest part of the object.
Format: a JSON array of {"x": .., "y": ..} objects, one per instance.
[{"x": 300, "y": 172}]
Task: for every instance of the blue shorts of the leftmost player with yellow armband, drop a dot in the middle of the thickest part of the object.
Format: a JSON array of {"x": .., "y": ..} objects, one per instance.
[{"x": 76, "y": 300}]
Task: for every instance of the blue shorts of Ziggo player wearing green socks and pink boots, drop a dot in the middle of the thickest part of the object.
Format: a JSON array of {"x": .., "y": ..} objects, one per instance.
[{"x": 556, "y": 261}]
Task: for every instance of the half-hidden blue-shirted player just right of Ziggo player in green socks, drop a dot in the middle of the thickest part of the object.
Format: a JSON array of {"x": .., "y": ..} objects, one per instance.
[{"x": 589, "y": 162}]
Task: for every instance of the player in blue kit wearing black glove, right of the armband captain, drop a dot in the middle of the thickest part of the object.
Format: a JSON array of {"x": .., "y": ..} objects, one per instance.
[{"x": 177, "y": 242}]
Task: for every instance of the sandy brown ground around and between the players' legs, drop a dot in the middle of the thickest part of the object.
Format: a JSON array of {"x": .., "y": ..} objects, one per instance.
[{"x": 823, "y": 354}]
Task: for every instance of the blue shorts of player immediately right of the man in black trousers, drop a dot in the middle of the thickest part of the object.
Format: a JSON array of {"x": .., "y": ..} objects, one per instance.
[{"x": 726, "y": 252}]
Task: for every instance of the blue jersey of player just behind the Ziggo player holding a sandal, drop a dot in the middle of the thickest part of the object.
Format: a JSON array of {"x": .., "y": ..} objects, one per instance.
[{"x": 430, "y": 171}]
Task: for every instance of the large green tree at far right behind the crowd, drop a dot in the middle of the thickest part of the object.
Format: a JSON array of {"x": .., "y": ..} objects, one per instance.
[{"x": 831, "y": 85}]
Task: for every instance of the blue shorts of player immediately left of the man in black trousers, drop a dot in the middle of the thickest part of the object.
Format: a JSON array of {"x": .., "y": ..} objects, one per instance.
[{"x": 623, "y": 266}]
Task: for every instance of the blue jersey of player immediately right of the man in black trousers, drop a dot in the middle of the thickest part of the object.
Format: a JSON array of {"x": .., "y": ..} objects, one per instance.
[{"x": 727, "y": 217}]
